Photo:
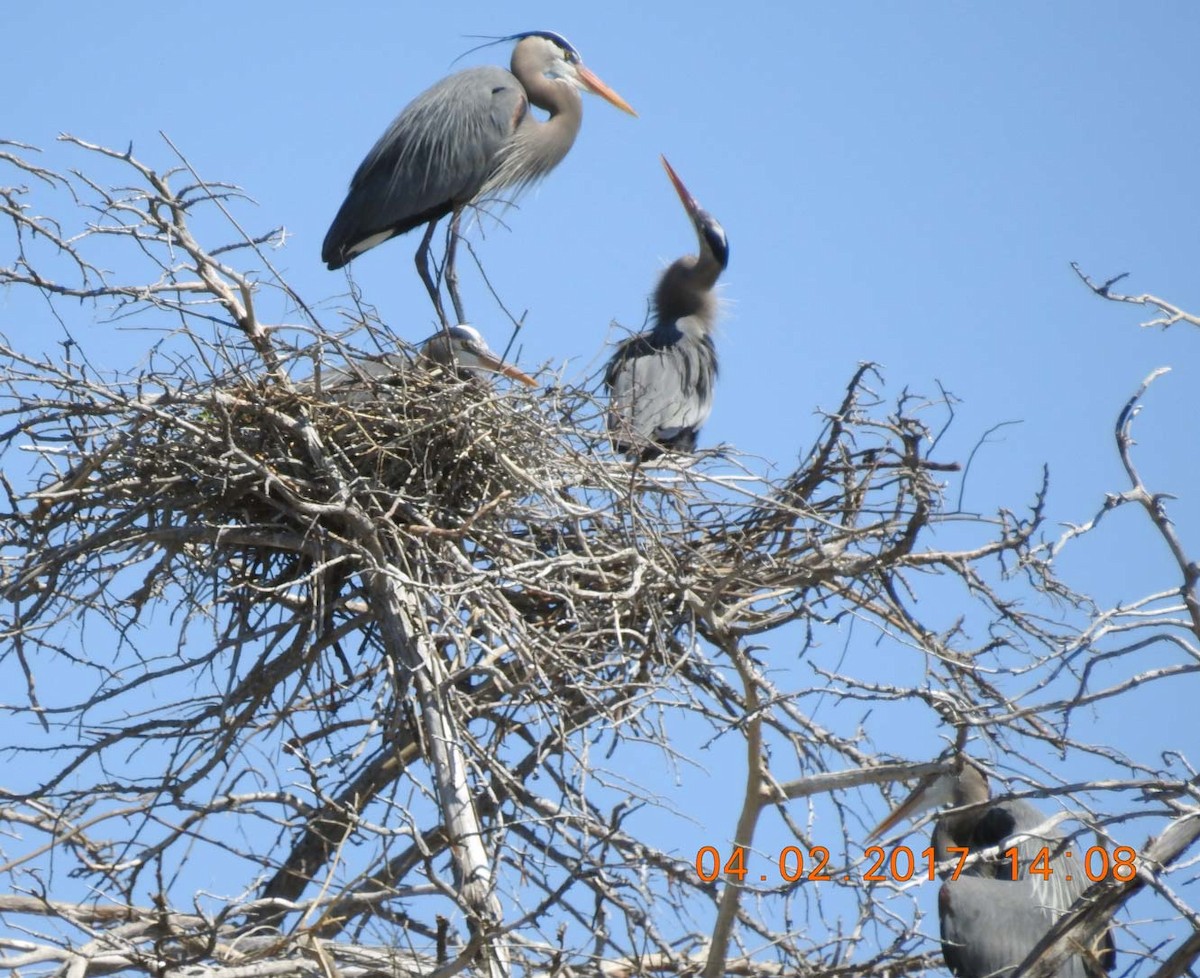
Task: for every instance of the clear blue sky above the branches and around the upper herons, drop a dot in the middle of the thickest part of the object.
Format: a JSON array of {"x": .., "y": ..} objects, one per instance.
[{"x": 901, "y": 183}]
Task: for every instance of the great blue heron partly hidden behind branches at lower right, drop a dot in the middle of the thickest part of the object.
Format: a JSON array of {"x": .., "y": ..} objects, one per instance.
[{"x": 991, "y": 922}]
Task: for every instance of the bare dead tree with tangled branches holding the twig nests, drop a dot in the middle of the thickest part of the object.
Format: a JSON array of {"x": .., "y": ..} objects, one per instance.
[{"x": 391, "y": 653}]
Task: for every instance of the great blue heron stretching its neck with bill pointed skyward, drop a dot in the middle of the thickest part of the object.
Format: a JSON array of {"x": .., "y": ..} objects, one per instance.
[{"x": 661, "y": 382}]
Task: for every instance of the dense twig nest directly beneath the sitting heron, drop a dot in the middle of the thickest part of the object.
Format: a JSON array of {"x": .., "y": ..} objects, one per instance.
[{"x": 418, "y": 446}]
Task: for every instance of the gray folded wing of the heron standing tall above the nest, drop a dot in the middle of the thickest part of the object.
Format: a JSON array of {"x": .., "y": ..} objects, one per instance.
[{"x": 437, "y": 154}]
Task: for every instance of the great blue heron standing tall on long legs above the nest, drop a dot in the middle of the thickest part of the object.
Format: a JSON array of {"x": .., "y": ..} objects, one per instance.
[{"x": 458, "y": 143}]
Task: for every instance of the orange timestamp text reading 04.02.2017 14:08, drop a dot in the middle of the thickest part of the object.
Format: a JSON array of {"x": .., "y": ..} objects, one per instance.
[{"x": 902, "y": 865}]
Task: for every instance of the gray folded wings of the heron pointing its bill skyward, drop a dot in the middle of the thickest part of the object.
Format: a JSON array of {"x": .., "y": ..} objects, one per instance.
[{"x": 661, "y": 393}]
